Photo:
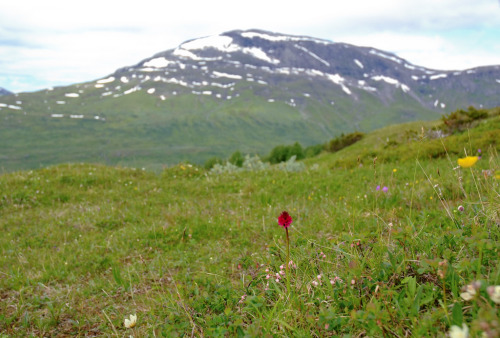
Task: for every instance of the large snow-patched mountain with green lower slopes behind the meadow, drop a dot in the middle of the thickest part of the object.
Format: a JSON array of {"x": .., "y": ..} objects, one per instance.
[{"x": 240, "y": 90}]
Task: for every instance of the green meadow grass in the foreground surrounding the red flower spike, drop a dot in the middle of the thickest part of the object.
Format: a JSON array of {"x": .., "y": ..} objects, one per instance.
[{"x": 85, "y": 245}]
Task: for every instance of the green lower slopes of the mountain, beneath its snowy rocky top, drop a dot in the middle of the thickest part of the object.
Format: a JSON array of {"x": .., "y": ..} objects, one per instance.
[{"x": 143, "y": 130}]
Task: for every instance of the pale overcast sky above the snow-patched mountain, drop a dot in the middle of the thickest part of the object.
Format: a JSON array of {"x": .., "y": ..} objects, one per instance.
[{"x": 46, "y": 43}]
